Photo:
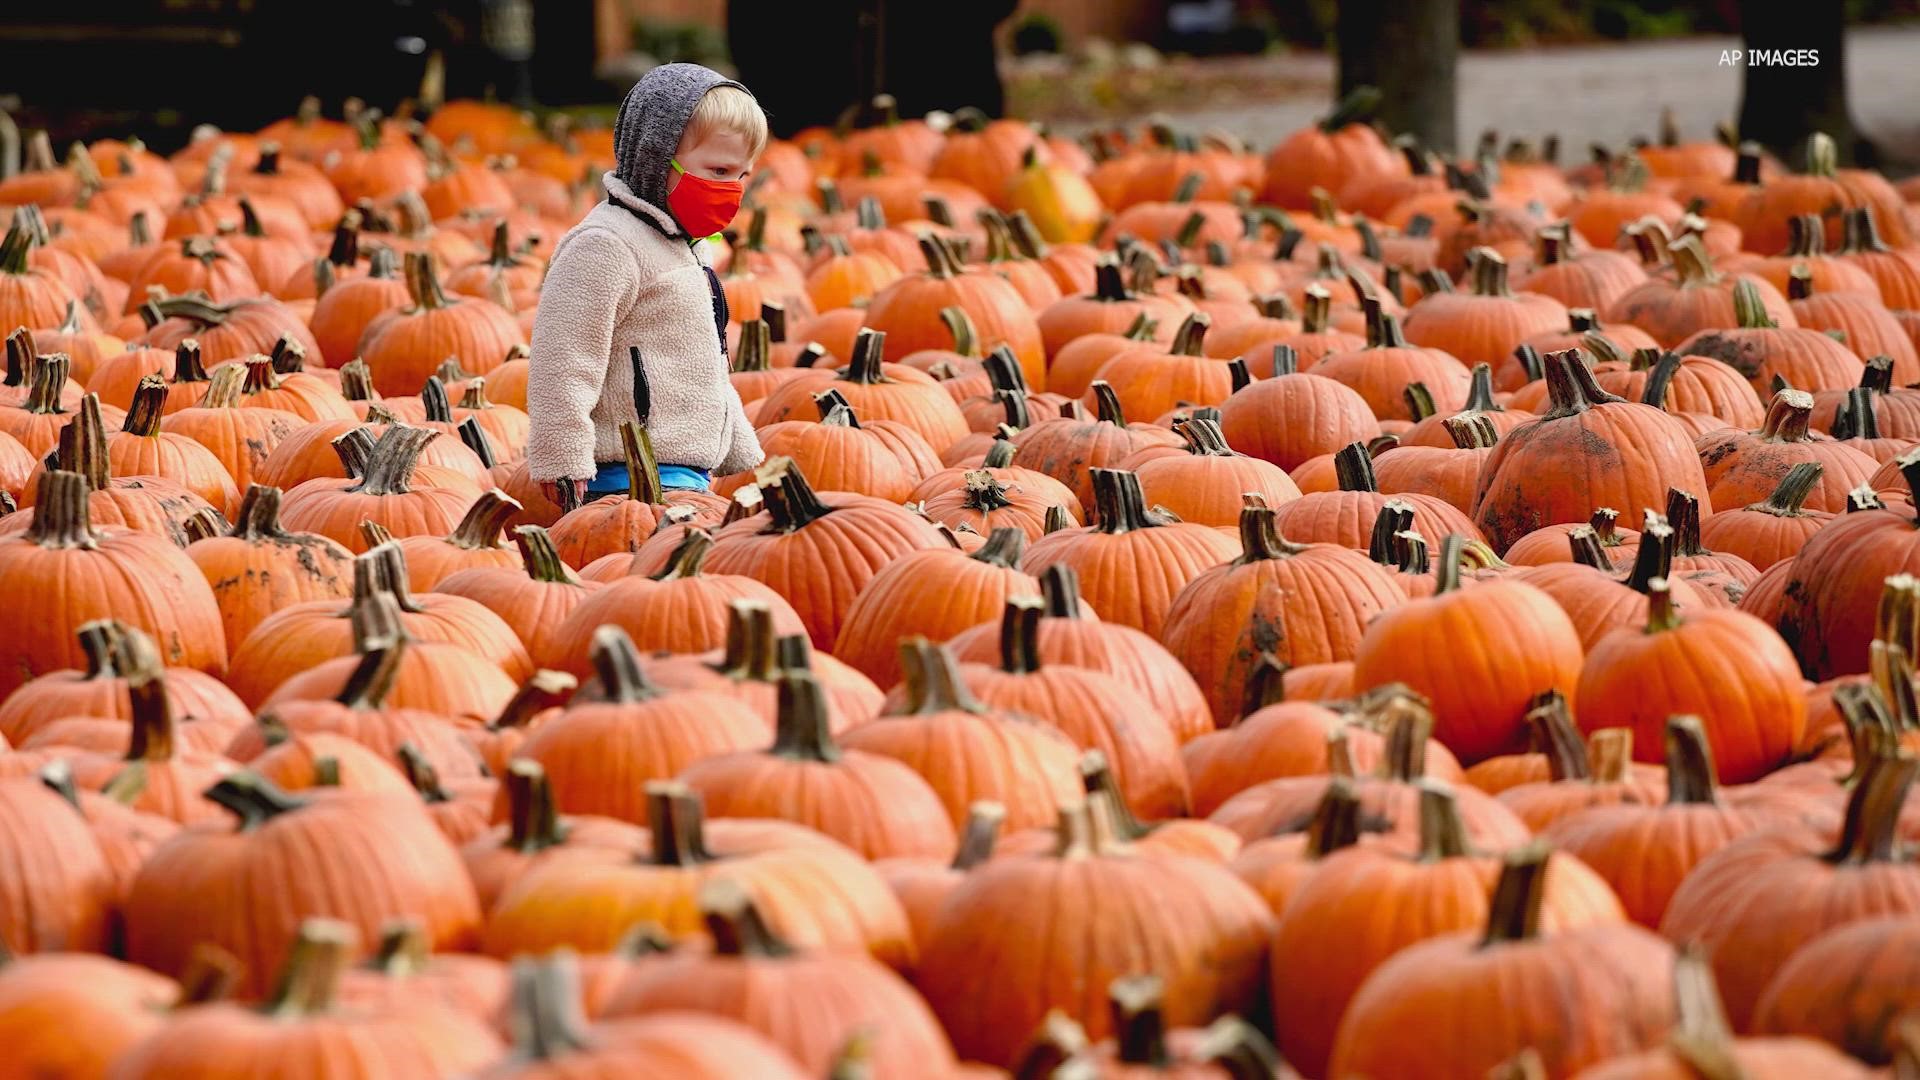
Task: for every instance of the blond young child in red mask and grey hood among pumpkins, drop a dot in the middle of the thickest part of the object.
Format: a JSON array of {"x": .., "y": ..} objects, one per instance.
[{"x": 635, "y": 276}]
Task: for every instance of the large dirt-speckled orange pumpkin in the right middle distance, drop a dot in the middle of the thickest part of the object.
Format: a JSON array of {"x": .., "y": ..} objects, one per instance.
[{"x": 1614, "y": 454}]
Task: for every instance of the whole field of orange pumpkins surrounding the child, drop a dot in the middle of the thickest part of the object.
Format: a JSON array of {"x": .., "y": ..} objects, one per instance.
[{"x": 1205, "y": 612}]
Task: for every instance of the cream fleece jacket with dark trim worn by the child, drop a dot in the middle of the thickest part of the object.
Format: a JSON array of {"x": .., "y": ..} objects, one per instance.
[{"x": 627, "y": 278}]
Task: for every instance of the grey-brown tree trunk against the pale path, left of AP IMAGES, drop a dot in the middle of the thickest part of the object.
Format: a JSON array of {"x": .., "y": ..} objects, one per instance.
[{"x": 1410, "y": 51}]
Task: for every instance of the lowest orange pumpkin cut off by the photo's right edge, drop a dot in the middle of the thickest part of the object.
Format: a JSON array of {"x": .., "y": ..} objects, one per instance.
[{"x": 1848, "y": 987}]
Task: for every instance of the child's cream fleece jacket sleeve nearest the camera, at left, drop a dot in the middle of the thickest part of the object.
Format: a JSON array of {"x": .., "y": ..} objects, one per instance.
[{"x": 588, "y": 285}]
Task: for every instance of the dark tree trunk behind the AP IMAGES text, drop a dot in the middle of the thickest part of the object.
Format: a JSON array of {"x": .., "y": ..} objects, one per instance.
[{"x": 1781, "y": 107}]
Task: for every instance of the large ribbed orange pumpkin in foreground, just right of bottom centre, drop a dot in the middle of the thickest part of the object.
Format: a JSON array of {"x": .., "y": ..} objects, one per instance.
[{"x": 994, "y": 970}]
